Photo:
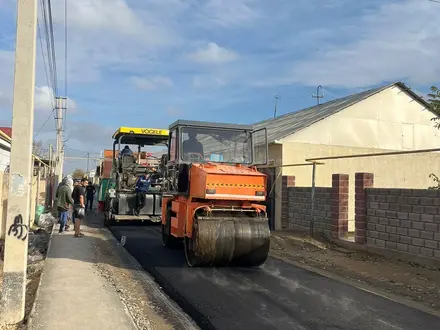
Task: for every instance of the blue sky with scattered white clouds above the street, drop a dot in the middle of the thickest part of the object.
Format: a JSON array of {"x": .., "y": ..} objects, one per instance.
[{"x": 147, "y": 63}]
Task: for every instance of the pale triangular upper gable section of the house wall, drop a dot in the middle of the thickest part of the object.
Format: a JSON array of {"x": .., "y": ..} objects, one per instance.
[{"x": 390, "y": 119}]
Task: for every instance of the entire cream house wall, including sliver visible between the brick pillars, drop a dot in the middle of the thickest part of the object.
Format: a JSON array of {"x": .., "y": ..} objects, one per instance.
[{"x": 389, "y": 120}]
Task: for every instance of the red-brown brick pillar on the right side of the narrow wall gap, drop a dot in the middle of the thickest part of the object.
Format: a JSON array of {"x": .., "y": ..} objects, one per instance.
[{"x": 362, "y": 181}]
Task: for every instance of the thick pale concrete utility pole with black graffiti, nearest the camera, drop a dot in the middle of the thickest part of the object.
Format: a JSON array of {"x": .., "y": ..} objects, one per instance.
[{"x": 21, "y": 162}]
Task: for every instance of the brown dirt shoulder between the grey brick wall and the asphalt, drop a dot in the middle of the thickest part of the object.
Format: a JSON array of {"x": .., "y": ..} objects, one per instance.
[{"x": 415, "y": 282}]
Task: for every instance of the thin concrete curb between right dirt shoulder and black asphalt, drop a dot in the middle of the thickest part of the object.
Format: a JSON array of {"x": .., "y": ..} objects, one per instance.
[{"x": 361, "y": 286}]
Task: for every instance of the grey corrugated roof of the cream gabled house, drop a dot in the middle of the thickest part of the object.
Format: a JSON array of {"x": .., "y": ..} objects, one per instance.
[{"x": 285, "y": 125}]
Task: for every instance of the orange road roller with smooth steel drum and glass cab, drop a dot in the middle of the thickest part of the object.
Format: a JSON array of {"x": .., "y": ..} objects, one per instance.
[{"x": 214, "y": 195}]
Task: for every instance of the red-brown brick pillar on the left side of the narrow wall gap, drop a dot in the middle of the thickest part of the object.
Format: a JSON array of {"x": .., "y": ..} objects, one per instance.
[{"x": 339, "y": 205}]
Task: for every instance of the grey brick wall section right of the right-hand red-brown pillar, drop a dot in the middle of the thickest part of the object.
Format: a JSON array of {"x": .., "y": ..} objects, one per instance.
[{"x": 406, "y": 220}]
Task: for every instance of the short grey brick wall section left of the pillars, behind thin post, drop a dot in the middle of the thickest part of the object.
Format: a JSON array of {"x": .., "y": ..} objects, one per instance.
[{"x": 300, "y": 209}]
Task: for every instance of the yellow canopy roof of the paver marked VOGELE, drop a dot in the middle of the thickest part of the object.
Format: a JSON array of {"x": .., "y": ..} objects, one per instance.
[{"x": 141, "y": 136}]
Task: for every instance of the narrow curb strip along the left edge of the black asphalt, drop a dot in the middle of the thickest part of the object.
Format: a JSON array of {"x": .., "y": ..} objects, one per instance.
[{"x": 156, "y": 292}]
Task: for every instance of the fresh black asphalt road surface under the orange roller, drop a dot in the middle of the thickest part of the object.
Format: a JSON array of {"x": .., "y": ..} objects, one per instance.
[{"x": 277, "y": 295}]
